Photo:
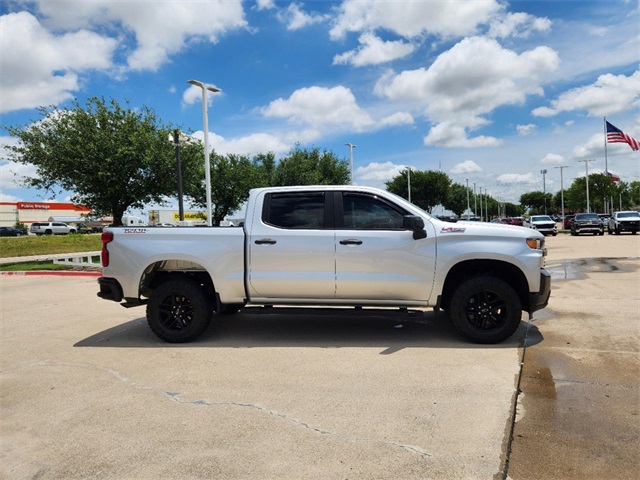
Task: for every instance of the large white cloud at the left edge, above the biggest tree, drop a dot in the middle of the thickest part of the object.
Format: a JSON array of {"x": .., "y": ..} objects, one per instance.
[{"x": 40, "y": 68}]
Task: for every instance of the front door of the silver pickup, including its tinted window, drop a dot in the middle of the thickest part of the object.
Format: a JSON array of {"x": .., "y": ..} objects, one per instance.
[{"x": 376, "y": 259}]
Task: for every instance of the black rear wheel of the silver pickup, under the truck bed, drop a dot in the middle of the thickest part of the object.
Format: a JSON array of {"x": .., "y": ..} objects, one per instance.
[{"x": 179, "y": 310}]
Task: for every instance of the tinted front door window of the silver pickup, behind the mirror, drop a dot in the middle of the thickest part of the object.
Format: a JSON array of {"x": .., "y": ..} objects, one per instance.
[{"x": 370, "y": 213}]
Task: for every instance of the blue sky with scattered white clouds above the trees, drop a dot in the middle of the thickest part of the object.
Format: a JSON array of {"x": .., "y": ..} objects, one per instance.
[{"x": 487, "y": 91}]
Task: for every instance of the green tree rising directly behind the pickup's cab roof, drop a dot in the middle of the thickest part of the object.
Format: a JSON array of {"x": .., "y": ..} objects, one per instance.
[{"x": 309, "y": 167}]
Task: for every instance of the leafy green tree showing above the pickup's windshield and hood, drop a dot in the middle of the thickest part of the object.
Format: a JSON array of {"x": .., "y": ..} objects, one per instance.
[{"x": 428, "y": 188}]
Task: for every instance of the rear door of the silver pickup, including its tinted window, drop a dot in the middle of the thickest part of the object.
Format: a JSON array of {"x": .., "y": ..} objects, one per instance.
[{"x": 290, "y": 253}]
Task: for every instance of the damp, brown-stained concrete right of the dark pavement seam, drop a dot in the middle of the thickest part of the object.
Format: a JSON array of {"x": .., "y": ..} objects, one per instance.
[{"x": 579, "y": 403}]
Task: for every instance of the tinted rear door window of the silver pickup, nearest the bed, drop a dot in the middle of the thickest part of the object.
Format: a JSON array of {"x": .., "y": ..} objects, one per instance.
[{"x": 295, "y": 210}]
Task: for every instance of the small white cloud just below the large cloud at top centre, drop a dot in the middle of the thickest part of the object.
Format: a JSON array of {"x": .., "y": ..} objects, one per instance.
[{"x": 373, "y": 51}]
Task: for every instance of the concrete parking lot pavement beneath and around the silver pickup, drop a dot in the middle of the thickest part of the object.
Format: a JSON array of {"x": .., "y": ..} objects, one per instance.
[{"x": 88, "y": 391}]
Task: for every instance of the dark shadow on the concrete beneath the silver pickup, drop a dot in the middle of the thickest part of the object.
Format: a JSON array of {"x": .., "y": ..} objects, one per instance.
[{"x": 254, "y": 327}]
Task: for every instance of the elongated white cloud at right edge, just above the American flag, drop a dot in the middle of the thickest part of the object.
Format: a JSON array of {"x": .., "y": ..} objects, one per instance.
[{"x": 608, "y": 95}]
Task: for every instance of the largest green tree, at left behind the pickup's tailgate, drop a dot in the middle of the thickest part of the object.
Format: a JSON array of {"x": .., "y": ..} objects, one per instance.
[{"x": 111, "y": 158}]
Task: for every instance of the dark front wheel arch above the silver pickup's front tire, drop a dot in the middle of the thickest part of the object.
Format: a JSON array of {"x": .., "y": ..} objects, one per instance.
[{"x": 473, "y": 268}]
